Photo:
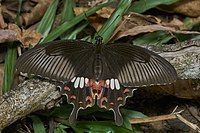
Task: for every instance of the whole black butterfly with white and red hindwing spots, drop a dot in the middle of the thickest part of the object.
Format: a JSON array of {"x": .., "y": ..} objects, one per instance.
[{"x": 106, "y": 73}]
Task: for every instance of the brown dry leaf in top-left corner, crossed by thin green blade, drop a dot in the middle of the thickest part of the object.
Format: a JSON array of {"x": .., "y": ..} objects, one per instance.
[{"x": 30, "y": 12}]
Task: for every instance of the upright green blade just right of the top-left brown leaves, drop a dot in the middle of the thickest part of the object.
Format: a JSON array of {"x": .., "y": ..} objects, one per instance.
[{"x": 47, "y": 21}]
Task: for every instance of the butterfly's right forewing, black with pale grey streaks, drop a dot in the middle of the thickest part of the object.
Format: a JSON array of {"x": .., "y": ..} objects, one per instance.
[{"x": 135, "y": 66}]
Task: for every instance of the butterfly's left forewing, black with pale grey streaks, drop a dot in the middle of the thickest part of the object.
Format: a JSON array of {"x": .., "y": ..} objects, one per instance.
[{"x": 60, "y": 60}]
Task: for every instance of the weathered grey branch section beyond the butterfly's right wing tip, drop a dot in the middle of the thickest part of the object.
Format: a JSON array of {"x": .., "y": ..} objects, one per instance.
[{"x": 185, "y": 57}]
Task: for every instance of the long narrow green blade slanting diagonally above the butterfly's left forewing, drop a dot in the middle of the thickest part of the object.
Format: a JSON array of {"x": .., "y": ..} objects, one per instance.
[{"x": 67, "y": 25}]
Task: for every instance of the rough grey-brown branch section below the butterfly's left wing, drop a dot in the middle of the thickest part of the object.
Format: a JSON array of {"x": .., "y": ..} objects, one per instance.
[{"x": 28, "y": 97}]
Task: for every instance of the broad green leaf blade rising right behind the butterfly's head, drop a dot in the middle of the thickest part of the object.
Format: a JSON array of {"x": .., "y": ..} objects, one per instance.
[{"x": 108, "y": 28}]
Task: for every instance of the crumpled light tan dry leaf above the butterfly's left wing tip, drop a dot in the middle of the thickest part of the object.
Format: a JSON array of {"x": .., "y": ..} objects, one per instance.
[{"x": 26, "y": 37}]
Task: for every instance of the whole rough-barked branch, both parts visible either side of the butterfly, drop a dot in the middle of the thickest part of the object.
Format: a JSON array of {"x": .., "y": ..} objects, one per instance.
[{"x": 33, "y": 95}]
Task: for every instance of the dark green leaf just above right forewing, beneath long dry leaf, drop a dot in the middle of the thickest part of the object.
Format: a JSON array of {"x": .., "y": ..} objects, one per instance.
[{"x": 158, "y": 37}]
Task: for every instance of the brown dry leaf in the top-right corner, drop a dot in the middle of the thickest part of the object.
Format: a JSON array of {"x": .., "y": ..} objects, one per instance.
[{"x": 186, "y": 7}]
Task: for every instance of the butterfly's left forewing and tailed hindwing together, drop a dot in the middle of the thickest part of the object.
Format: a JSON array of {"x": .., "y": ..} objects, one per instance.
[{"x": 62, "y": 61}]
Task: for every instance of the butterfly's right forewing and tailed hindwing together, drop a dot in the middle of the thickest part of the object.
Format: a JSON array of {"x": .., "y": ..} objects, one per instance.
[{"x": 130, "y": 66}]
